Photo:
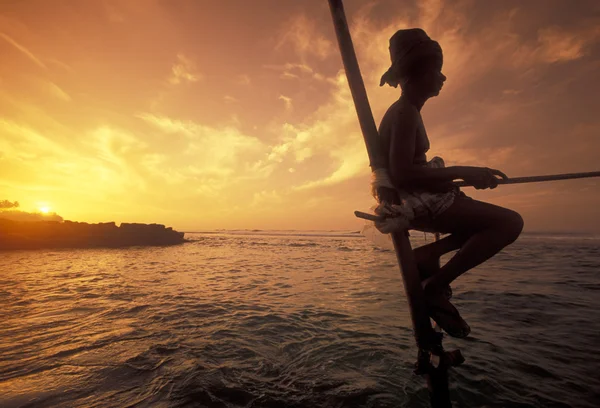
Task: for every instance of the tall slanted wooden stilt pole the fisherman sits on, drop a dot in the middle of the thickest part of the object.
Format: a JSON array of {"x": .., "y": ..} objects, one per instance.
[{"x": 433, "y": 361}]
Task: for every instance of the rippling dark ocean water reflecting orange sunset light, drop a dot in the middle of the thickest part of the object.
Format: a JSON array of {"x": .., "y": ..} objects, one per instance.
[{"x": 290, "y": 319}]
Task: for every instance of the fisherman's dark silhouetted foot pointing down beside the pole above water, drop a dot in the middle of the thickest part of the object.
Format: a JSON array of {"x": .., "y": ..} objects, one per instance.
[{"x": 444, "y": 313}]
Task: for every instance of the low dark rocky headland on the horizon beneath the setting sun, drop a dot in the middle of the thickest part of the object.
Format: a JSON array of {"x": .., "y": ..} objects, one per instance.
[{"x": 69, "y": 234}]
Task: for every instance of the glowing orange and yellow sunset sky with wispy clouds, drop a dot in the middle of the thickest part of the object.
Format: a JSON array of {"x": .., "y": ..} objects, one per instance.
[{"x": 236, "y": 114}]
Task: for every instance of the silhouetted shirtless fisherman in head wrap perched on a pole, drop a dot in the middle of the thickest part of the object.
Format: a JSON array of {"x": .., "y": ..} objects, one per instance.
[{"x": 478, "y": 230}]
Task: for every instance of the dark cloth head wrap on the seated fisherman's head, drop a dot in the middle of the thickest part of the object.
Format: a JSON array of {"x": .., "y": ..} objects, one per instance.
[{"x": 408, "y": 50}]
